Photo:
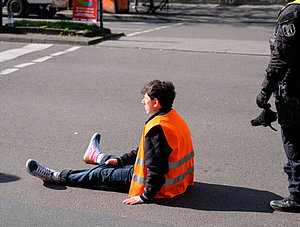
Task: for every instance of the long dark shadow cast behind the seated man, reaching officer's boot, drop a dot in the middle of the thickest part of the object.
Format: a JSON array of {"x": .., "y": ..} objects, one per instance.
[{"x": 213, "y": 197}]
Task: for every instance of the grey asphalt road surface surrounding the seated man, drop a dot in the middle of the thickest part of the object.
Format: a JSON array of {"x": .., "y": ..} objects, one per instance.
[{"x": 53, "y": 100}]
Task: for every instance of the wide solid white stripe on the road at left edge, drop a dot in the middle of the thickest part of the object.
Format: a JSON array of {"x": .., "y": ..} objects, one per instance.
[{"x": 14, "y": 53}]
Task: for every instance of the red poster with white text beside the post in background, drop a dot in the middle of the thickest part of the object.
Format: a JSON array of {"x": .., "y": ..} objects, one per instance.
[{"x": 85, "y": 10}]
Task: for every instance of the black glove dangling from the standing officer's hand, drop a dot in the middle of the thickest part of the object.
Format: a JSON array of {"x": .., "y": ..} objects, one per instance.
[{"x": 265, "y": 119}]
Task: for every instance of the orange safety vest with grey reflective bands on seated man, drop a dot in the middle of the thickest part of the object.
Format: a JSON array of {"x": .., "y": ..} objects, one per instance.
[{"x": 181, "y": 160}]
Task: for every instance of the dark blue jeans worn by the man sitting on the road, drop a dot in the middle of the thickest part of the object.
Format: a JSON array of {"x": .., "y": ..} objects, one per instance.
[{"x": 103, "y": 175}]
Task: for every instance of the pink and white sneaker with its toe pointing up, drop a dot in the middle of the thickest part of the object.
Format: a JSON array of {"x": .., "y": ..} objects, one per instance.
[{"x": 93, "y": 150}]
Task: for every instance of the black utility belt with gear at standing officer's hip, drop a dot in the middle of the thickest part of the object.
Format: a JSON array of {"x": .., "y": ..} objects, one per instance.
[{"x": 288, "y": 108}]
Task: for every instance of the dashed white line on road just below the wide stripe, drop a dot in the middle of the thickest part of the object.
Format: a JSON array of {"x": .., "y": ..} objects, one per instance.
[{"x": 39, "y": 60}]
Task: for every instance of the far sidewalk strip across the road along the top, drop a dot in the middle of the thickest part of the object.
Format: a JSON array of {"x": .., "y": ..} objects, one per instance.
[{"x": 199, "y": 13}]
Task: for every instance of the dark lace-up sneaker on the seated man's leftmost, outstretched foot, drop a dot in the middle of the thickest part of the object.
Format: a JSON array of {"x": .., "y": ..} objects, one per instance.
[{"x": 42, "y": 172}]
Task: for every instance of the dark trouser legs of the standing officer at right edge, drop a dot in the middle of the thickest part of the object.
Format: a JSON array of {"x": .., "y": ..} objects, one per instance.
[{"x": 291, "y": 145}]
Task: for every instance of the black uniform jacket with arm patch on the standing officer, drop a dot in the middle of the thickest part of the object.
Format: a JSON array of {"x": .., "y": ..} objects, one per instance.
[{"x": 285, "y": 49}]
